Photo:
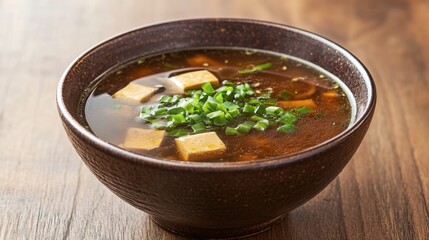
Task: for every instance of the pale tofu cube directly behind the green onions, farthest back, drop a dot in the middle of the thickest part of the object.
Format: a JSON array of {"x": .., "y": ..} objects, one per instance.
[{"x": 194, "y": 80}]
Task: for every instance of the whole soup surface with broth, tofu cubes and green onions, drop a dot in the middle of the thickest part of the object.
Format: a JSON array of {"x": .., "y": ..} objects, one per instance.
[{"x": 217, "y": 105}]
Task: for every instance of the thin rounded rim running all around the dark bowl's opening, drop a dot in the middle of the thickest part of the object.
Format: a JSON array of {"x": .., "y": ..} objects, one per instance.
[{"x": 222, "y": 166}]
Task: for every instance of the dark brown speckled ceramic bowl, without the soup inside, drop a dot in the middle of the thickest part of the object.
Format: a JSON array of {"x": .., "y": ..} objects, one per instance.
[{"x": 216, "y": 199}]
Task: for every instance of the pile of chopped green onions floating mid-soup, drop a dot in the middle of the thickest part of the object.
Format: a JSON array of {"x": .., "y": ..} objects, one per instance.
[{"x": 235, "y": 109}]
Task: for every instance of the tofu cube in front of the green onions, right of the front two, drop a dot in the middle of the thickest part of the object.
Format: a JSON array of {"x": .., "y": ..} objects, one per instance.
[{"x": 200, "y": 146}]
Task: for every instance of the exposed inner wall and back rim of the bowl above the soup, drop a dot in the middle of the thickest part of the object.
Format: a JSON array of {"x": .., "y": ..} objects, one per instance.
[{"x": 200, "y": 33}]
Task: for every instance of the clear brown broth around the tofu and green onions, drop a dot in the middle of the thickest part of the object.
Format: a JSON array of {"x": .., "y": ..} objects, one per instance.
[{"x": 109, "y": 118}]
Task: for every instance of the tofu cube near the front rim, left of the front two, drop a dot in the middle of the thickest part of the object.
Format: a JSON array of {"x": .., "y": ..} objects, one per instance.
[{"x": 144, "y": 139}]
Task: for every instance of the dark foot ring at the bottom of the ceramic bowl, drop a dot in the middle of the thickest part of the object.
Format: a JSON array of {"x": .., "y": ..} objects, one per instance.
[{"x": 215, "y": 233}]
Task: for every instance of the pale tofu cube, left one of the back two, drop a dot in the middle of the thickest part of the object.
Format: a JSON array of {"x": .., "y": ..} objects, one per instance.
[{"x": 135, "y": 92}]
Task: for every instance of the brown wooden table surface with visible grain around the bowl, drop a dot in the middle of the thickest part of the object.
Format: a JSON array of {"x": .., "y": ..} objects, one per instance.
[{"x": 46, "y": 192}]
